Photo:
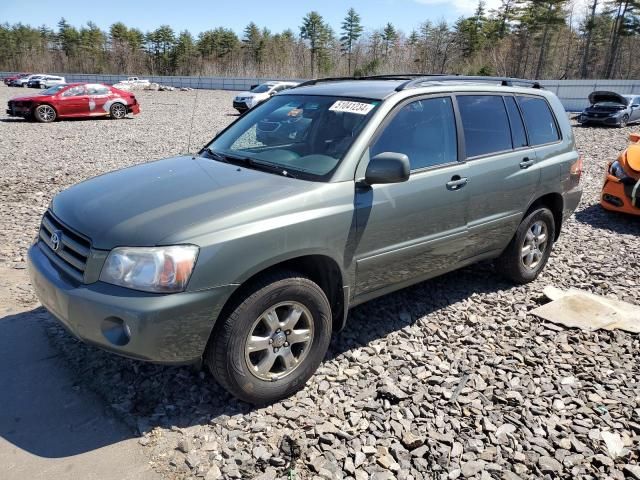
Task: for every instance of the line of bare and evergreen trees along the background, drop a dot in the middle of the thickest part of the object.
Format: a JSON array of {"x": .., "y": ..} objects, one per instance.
[{"x": 522, "y": 38}]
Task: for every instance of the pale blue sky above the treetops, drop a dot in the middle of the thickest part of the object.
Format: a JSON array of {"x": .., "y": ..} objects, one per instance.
[{"x": 200, "y": 15}]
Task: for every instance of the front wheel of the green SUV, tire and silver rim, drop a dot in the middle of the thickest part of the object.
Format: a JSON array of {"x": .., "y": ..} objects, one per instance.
[{"x": 234, "y": 360}]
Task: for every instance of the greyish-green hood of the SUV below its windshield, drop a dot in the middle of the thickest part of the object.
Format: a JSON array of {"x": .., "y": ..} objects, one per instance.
[{"x": 145, "y": 204}]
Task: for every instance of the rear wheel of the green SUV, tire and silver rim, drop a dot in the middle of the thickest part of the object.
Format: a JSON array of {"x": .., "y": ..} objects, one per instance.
[{"x": 514, "y": 263}]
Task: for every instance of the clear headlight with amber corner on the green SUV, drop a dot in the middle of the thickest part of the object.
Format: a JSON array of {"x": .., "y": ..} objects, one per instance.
[{"x": 150, "y": 269}]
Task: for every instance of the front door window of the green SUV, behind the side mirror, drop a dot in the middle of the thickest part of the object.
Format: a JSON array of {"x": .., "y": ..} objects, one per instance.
[{"x": 424, "y": 130}]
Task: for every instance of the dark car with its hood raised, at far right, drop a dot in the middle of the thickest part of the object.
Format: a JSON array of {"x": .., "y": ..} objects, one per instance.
[{"x": 610, "y": 108}]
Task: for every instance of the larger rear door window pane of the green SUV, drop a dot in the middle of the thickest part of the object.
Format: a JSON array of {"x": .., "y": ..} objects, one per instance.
[{"x": 485, "y": 124}]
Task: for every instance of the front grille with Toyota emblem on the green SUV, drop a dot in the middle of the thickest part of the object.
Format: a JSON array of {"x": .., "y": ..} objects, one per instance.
[{"x": 67, "y": 249}]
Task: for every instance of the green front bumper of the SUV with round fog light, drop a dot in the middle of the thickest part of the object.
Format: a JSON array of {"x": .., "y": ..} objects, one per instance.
[{"x": 168, "y": 329}]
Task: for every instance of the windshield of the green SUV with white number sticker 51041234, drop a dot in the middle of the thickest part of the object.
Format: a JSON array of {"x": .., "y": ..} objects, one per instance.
[{"x": 303, "y": 134}]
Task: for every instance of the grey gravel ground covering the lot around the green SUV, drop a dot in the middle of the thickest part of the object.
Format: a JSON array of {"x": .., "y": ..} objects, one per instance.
[{"x": 450, "y": 378}]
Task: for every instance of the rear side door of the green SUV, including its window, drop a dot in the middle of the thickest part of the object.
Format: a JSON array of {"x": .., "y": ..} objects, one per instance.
[{"x": 502, "y": 167}]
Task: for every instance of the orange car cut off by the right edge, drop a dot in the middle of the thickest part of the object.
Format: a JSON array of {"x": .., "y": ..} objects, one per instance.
[{"x": 621, "y": 189}]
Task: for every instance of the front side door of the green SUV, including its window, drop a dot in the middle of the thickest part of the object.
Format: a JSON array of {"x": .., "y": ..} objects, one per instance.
[{"x": 417, "y": 228}]
